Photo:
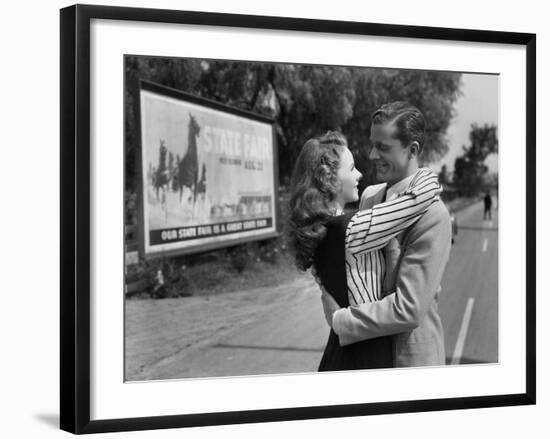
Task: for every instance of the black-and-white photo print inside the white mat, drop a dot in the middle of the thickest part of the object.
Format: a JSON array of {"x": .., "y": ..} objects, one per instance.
[{"x": 415, "y": 287}]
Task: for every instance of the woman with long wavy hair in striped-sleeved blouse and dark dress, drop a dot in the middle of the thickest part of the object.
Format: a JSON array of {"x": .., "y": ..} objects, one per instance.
[{"x": 328, "y": 240}]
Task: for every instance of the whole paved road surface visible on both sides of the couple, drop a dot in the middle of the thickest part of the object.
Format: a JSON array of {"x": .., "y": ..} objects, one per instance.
[{"x": 291, "y": 339}]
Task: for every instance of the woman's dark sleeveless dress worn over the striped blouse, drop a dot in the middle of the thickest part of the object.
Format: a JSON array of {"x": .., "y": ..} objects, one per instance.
[{"x": 330, "y": 263}]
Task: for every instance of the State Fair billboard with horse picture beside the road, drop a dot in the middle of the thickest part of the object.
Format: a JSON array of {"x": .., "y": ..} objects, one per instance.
[{"x": 208, "y": 174}]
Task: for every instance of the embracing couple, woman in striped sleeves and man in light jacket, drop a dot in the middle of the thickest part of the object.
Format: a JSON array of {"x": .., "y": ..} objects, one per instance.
[{"x": 379, "y": 268}]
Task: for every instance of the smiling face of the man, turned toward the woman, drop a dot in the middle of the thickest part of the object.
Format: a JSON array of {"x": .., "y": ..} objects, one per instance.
[{"x": 390, "y": 156}]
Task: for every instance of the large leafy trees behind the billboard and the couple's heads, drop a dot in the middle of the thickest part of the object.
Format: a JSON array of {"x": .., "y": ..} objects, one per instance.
[{"x": 304, "y": 100}]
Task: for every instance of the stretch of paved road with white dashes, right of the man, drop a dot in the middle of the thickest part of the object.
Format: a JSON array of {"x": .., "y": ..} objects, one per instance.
[{"x": 470, "y": 290}]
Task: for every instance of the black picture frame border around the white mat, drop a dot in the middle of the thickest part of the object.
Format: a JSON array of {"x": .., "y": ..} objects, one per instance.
[{"x": 75, "y": 217}]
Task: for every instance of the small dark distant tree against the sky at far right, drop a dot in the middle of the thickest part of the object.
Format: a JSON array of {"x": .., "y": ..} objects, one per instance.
[{"x": 470, "y": 168}]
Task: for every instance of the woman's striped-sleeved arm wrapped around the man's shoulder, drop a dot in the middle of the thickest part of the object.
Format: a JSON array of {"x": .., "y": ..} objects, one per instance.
[{"x": 372, "y": 229}]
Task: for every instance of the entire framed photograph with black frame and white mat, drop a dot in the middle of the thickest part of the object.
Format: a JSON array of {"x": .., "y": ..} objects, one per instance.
[{"x": 209, "y": 161}]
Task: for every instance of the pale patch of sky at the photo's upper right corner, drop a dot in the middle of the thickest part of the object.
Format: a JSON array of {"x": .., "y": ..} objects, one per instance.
[{"x": 479, "y": 104}]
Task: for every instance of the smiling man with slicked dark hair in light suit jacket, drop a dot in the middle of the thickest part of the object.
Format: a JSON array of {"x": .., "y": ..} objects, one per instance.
[{"x": 415, "y": 260}]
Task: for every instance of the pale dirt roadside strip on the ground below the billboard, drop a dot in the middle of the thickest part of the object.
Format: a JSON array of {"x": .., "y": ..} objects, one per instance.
[{"x": 156, "y": 330}]
